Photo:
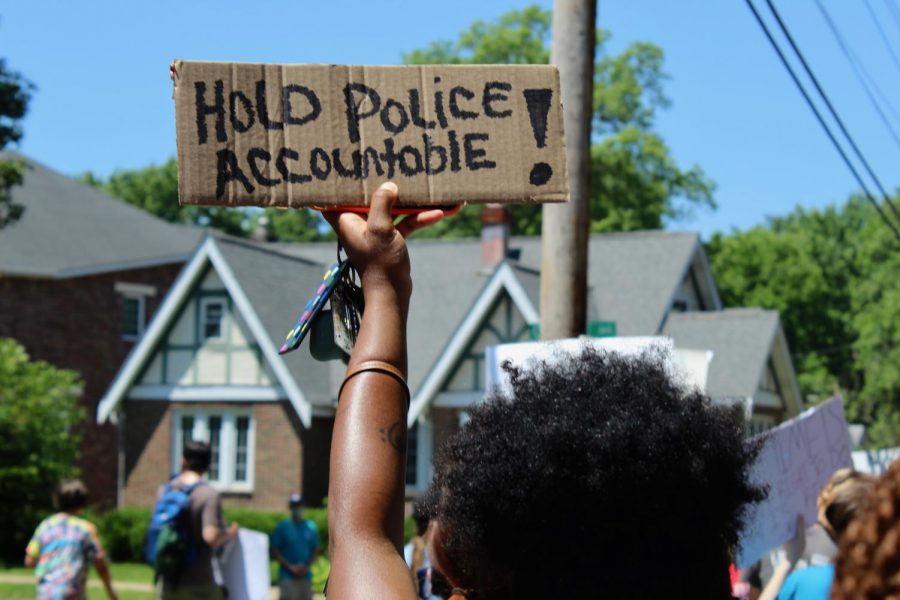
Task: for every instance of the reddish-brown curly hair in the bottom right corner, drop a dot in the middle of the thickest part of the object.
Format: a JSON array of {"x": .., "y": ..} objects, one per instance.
[{"x": 868, "y": 562}]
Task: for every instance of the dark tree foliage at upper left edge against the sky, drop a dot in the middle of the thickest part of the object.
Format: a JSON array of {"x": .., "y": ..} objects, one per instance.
[{"x": 15, "y": 92}]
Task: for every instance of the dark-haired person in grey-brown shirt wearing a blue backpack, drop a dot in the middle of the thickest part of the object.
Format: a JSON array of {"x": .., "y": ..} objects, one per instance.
[{"x": 193, "y": 530}]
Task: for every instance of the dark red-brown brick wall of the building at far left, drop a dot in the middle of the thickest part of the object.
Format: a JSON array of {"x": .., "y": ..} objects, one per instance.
[{"x": 76, "y": 324}]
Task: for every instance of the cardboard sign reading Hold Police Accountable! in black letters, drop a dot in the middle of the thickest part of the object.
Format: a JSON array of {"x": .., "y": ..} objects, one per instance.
[{"x": 326, "y": 135}]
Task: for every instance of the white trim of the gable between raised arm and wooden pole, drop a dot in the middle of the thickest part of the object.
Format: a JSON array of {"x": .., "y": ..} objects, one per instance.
[{"x": 504, "y": 278}]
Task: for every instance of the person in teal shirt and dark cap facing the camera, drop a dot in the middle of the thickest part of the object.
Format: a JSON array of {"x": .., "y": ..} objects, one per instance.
[{"x": 295, "y": 545}]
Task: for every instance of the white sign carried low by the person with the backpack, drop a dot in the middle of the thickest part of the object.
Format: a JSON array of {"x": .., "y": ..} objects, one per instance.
[{"x": 245, "y": 566}]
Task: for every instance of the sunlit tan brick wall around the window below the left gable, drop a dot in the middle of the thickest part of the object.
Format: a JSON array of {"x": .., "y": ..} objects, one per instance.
[{"x": 287, "y": 457}]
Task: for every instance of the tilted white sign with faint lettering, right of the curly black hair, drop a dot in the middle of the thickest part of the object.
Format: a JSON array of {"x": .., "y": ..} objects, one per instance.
[{"x": 797, "y": 460}]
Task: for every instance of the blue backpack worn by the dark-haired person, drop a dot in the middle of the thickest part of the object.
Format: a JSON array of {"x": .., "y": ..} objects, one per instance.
[{"x": 168, "y": 545}]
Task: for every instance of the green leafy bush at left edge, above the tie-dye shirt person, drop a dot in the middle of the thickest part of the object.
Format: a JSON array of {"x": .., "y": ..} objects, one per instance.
[{"x": 38, "y": 414}]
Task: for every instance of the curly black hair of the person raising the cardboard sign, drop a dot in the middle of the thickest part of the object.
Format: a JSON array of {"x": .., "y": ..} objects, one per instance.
[{"x": 596, "y": 475}]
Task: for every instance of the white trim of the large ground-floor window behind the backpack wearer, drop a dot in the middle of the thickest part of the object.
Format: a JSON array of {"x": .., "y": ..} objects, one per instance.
[{"x": 228, "y": 439}]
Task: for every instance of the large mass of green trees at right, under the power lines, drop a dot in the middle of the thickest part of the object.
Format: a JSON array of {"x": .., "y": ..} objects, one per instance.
[{"x": 831, "y": 273}]
